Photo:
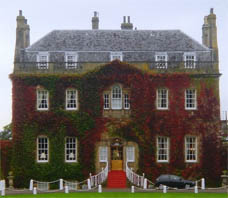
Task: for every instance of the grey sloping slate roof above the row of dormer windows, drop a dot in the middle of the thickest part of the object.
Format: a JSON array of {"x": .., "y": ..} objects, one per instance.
[{"x": 117, "y": 40}]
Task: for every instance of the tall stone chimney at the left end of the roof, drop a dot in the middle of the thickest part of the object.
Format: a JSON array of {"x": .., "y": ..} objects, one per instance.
[{"x": 22, "y": 36}]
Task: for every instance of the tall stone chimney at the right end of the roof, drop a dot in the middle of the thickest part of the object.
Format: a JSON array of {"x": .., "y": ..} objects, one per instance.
[{"x": 209, "y": 33}]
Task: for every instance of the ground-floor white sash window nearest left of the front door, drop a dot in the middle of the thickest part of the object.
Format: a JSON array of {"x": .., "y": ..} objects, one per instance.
[{"x": 71, "y": 149}]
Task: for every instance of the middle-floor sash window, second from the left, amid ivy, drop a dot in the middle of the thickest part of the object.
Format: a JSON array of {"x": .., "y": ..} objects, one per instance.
[{"x": 71, "y": 99}]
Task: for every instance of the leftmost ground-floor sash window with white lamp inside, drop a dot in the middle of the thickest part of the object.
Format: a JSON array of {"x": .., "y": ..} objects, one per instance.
[{"x": 42, "y": 149}]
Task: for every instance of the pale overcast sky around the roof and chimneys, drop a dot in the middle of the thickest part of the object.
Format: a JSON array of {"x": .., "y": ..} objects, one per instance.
[{"x": 47, "y": 15}]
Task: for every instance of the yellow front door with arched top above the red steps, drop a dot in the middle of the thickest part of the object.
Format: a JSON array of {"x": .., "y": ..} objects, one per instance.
[{"x": 117, "y": 154}]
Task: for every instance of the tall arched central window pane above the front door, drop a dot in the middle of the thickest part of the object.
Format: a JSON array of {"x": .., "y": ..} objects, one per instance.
[{"x": 116, "y": 97}]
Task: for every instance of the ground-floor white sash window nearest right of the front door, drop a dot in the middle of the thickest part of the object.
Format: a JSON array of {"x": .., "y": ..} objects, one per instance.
[{"x": 162, "y": 149}]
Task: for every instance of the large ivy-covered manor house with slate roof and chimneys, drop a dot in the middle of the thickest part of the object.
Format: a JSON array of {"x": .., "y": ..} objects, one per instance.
[{"x": 84, "y": 99}]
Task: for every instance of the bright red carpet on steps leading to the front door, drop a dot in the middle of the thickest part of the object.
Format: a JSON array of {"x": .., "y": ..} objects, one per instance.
[{"x": 116, "y": 179}]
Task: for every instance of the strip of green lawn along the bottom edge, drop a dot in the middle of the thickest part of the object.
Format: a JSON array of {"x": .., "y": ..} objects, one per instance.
[{"x": 123, "y": 194}]
